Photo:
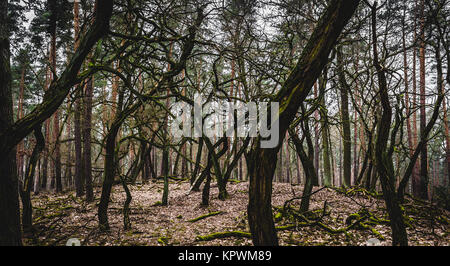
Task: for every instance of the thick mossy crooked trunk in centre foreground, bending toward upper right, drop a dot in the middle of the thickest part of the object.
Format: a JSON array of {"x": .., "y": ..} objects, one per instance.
[{"x": 262, "y": 162}]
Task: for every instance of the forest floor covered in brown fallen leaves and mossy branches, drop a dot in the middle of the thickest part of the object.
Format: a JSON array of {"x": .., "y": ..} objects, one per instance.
[{"x": 349, "y": 218}]
